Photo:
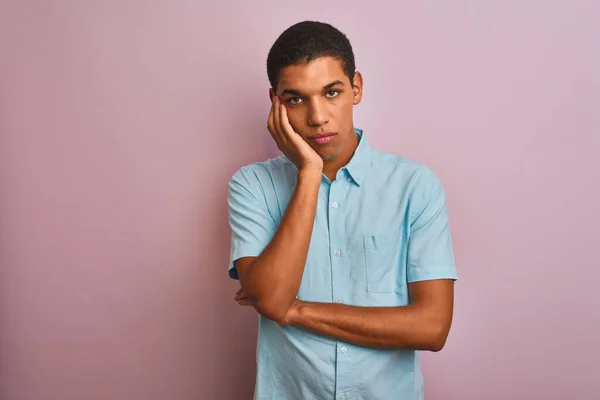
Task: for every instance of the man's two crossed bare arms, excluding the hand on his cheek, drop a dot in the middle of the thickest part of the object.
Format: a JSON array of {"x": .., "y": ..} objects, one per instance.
[{"x": 270, "y": 282}]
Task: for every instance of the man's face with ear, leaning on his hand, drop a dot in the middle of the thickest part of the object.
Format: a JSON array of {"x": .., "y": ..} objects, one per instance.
[{"x": 319, "y": 99}]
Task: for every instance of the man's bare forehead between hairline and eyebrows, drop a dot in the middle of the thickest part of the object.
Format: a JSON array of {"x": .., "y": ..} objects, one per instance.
[{"x": 313, "y": 76}]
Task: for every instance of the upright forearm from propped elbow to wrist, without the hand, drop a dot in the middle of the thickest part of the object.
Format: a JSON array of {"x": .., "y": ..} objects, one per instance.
[{"x": 273, "y": 279}]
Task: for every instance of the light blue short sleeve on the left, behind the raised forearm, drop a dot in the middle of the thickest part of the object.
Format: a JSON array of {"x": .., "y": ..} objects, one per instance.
[{"x": 252, "y": 227}]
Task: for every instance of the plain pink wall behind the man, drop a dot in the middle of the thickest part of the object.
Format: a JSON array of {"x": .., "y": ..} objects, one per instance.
[{"x": 121, "y": 123}]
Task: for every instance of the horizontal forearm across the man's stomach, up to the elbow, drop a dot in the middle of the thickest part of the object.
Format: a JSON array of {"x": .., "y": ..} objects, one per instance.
[{"x": 408, "y": 327}]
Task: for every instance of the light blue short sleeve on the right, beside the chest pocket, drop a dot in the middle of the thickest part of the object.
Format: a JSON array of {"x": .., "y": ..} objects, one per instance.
[{"x": 430, "y": 253}]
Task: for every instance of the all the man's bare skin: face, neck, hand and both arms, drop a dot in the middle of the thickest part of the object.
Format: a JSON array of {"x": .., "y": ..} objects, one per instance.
[{"x": 310, "y": 100}]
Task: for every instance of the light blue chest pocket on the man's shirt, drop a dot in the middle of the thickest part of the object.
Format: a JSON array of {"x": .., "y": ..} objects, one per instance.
[{"x": 385, "y": 262}]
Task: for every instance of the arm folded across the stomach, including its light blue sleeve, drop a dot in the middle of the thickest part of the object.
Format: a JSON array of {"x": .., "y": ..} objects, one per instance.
[{"x": 422, "y": 325}]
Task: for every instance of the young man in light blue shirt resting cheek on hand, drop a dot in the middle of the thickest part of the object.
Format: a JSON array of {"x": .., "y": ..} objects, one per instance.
[{"x": 343, "y": 250}]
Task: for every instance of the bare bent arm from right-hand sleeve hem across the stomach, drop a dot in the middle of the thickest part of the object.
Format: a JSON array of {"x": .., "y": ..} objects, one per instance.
[{"x": 422, "y": 325}]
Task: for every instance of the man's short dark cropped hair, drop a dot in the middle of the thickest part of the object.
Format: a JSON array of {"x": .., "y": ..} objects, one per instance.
[{"x": 306, "y": 41}]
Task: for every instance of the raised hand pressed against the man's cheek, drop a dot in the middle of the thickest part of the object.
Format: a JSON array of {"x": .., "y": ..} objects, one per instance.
[{"x": 290, "y": 142}]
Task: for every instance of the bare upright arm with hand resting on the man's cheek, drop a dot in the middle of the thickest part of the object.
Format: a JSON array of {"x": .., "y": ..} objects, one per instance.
[{"x": 272, "y": 279}]
